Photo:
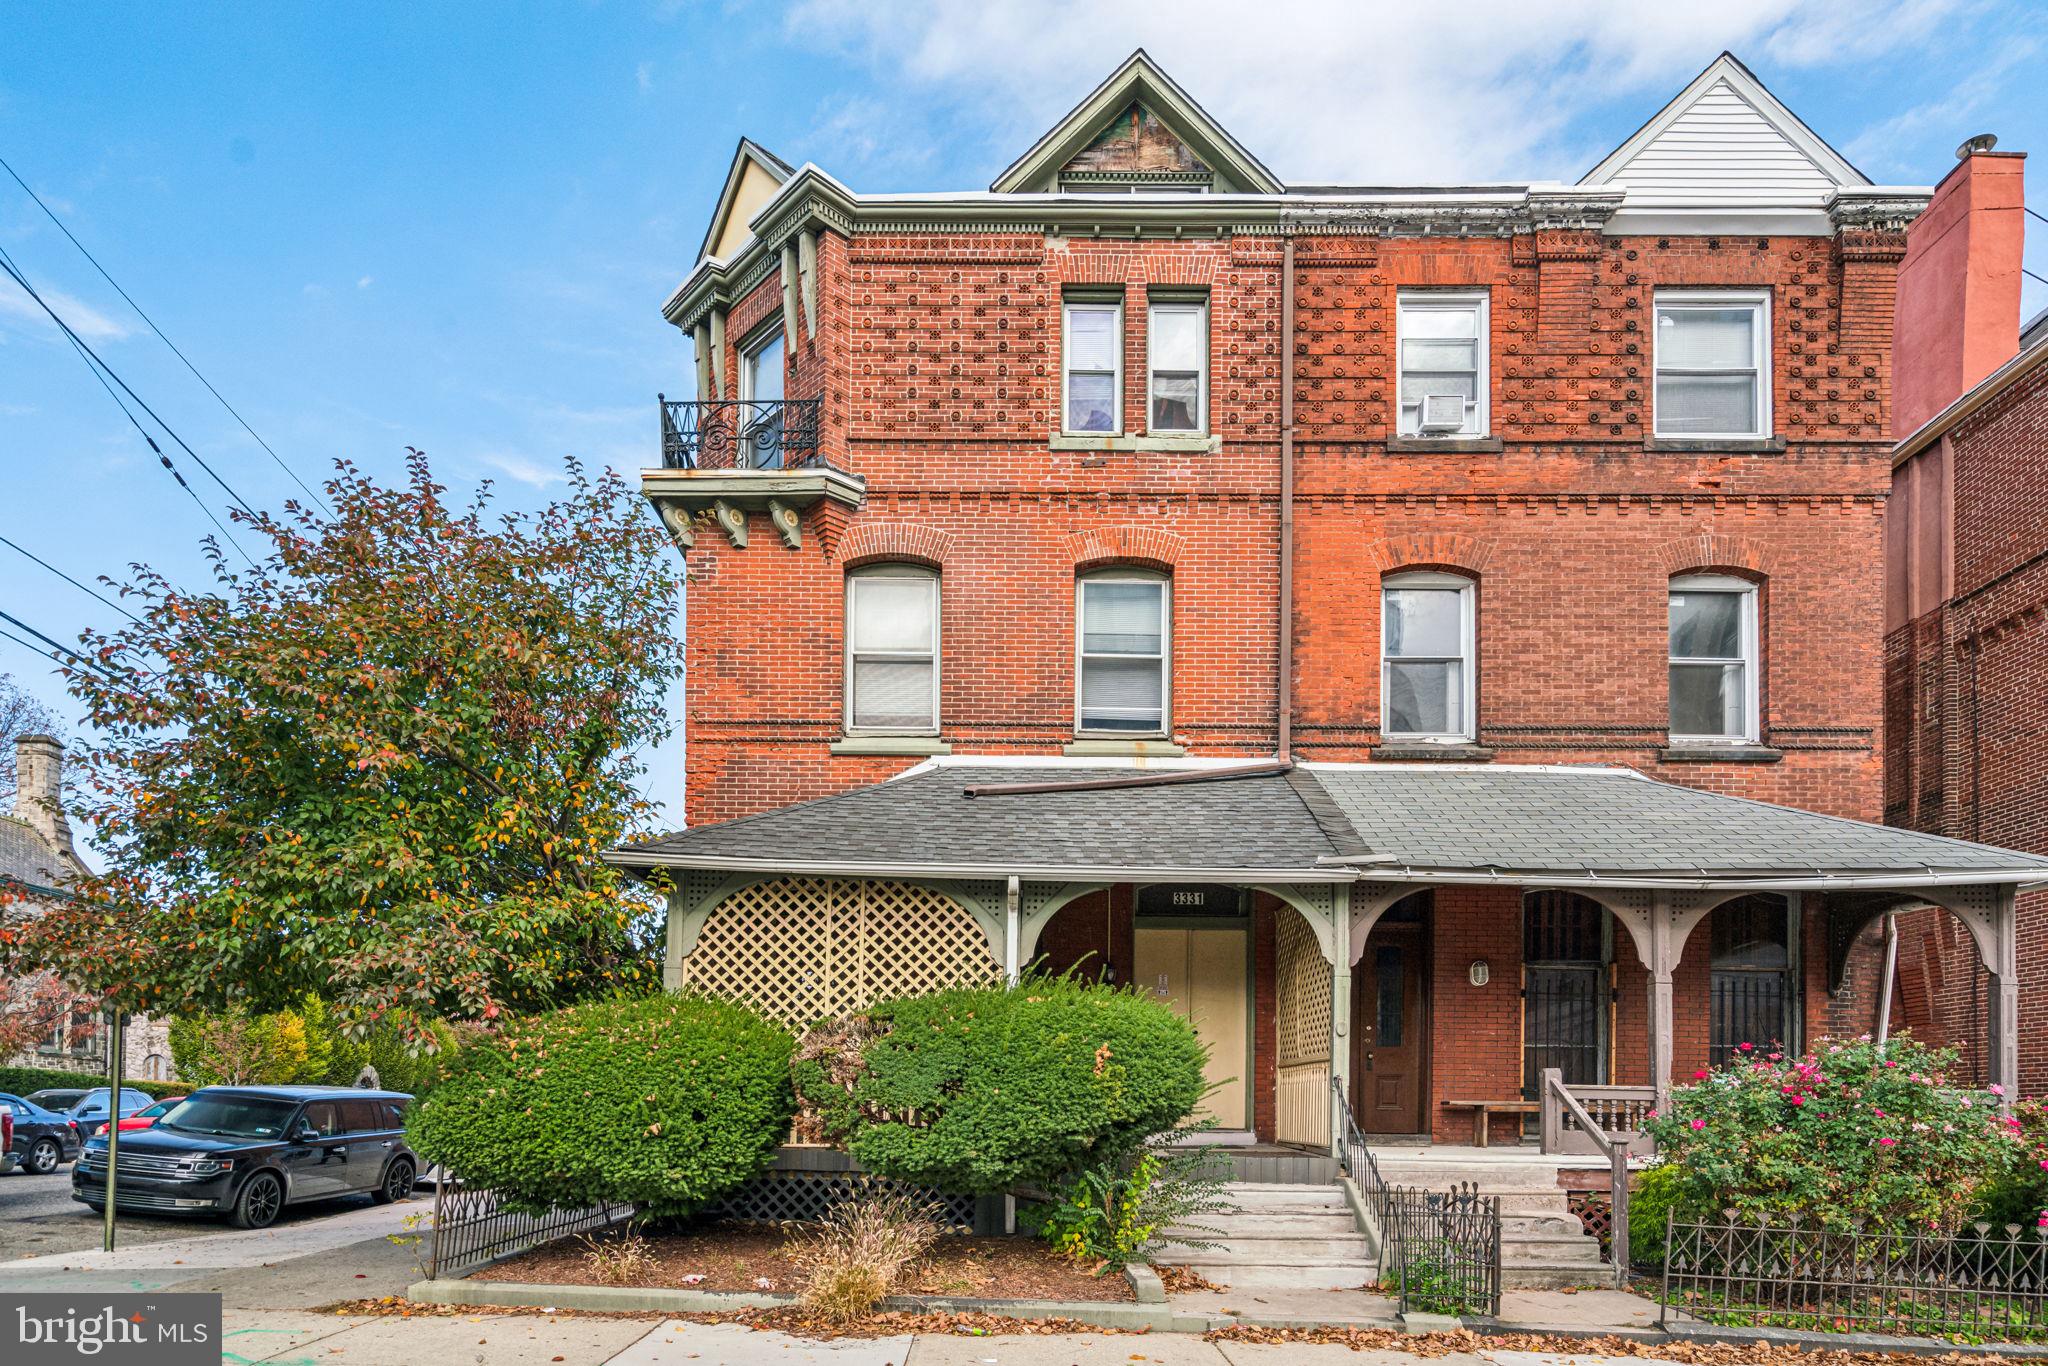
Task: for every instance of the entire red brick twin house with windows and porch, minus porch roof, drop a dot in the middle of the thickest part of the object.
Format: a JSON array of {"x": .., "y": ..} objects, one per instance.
[{"x": 1539, "y": 474}]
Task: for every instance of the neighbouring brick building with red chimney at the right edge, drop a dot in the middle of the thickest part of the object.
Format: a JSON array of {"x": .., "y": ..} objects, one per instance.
[{"x": 1967, "y": 591}]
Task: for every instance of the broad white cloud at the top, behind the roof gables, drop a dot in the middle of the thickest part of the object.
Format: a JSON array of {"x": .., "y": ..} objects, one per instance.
[{"x": 1414, "y": 91}]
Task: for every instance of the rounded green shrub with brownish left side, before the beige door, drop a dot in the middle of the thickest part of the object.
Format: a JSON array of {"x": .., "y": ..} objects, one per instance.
[{"x": 982, "y": 1091}]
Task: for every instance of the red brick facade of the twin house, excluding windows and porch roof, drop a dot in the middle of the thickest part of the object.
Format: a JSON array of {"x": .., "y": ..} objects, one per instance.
[{"x": 933, "y": 337}]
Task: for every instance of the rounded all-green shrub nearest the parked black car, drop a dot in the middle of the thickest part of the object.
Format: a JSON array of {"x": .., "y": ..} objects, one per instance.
[{"x": 667, "y": 1103}]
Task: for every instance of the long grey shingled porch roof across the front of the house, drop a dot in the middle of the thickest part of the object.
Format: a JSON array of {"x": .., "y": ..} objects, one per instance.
[{"x": 1553, "y": 826}]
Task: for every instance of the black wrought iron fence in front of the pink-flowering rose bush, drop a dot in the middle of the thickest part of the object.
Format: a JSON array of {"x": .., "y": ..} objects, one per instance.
[{"x": 1986, "y": 1283}]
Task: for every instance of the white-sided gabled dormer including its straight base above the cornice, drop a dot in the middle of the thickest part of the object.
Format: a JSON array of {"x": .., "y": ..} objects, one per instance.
[{"x": 1725, "y": 157}]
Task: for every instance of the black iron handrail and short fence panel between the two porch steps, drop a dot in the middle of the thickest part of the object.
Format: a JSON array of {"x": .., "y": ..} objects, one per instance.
[{"x": 1441, "y": 1250}]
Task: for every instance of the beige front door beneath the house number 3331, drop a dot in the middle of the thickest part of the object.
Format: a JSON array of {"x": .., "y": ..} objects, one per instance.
[{"x": 1201, "y": 974}]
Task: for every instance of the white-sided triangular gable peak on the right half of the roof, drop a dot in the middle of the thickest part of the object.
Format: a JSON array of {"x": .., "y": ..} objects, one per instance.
[{"x": 1725, "y": 138}]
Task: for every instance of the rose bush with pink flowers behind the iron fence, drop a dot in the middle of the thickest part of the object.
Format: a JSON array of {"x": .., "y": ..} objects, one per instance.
[{"x": 1840, "y": 1136}]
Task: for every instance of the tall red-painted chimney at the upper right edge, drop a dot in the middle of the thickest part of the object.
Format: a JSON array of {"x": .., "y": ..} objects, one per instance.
[{"x": 1959, "y": 286}]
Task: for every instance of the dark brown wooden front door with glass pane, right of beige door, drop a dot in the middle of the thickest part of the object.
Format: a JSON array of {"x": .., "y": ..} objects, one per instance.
[{"x": 1390, "y": 1031}]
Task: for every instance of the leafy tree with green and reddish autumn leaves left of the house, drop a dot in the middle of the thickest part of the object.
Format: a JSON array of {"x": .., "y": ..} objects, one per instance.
[{"x": 382, "y": 765}]
